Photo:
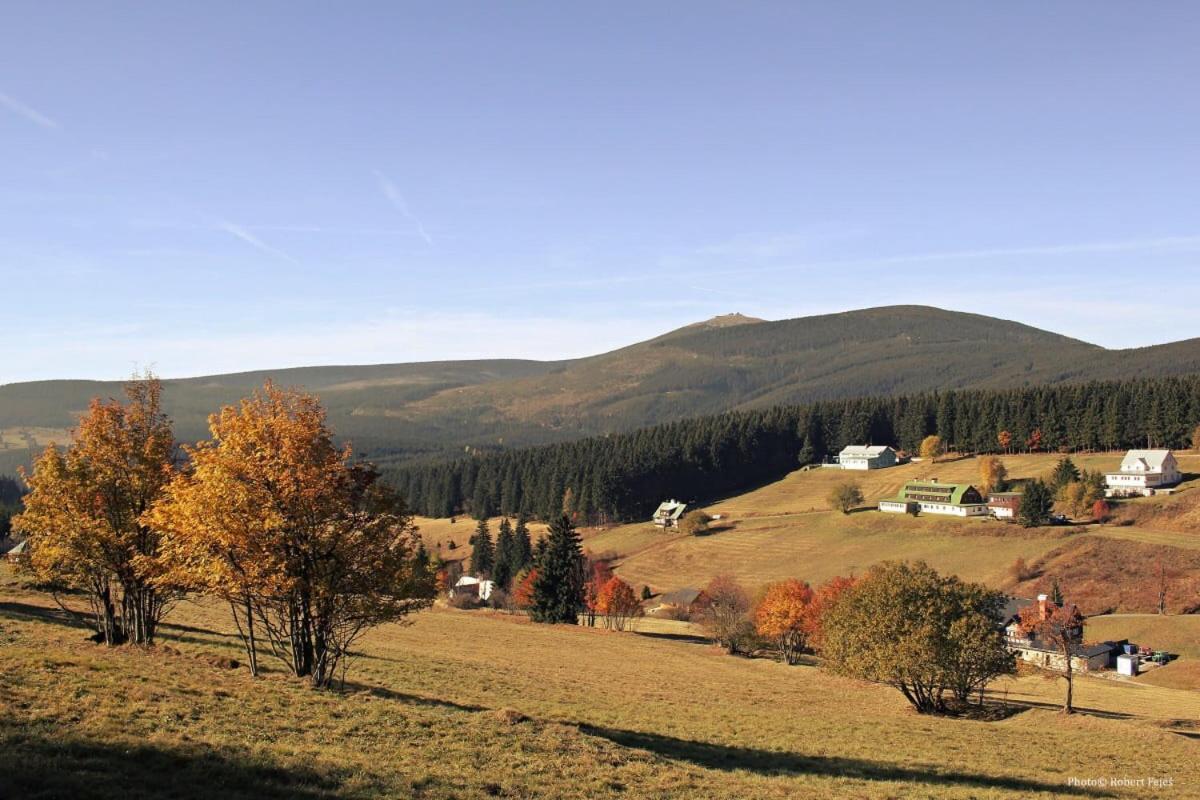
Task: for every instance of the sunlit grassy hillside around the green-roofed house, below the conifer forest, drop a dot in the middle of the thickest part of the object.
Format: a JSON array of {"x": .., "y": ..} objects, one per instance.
[{"x": 783, "y": 531}]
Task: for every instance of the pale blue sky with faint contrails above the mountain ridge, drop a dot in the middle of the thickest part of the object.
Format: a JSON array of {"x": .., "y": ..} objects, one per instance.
[{"x": 218, "y": 187}]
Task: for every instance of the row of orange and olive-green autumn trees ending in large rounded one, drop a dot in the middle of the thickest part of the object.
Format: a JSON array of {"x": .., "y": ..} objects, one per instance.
[{"x": 935, "y": 639}]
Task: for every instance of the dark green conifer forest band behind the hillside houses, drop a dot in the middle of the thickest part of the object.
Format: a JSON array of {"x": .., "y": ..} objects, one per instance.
[{"x": 625, "y": 477}]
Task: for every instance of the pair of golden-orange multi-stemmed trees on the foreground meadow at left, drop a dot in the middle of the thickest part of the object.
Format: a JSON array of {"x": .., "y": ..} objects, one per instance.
[{"x": 309, "y": 548}]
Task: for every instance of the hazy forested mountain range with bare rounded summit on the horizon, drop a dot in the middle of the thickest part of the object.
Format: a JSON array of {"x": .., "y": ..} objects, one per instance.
[{"x": 397, "y": 412}]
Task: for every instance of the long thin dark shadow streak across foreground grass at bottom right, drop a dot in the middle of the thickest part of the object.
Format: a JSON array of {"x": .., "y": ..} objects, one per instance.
[{"x": 765, "y": 762}]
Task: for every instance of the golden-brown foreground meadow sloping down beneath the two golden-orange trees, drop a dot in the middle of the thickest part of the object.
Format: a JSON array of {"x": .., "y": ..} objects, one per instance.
[{"x": 610, "y": 715}]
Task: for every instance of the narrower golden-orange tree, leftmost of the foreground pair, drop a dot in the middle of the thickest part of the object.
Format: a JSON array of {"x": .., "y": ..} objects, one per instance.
[{"x": 83, "y": 515}]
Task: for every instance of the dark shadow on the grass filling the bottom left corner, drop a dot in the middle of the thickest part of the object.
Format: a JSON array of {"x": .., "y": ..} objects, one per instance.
[{"x": 34, "y": 766}]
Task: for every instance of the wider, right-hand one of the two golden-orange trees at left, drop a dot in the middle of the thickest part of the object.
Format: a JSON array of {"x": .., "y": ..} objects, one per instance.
[{"x": 307, "y": 546}]
